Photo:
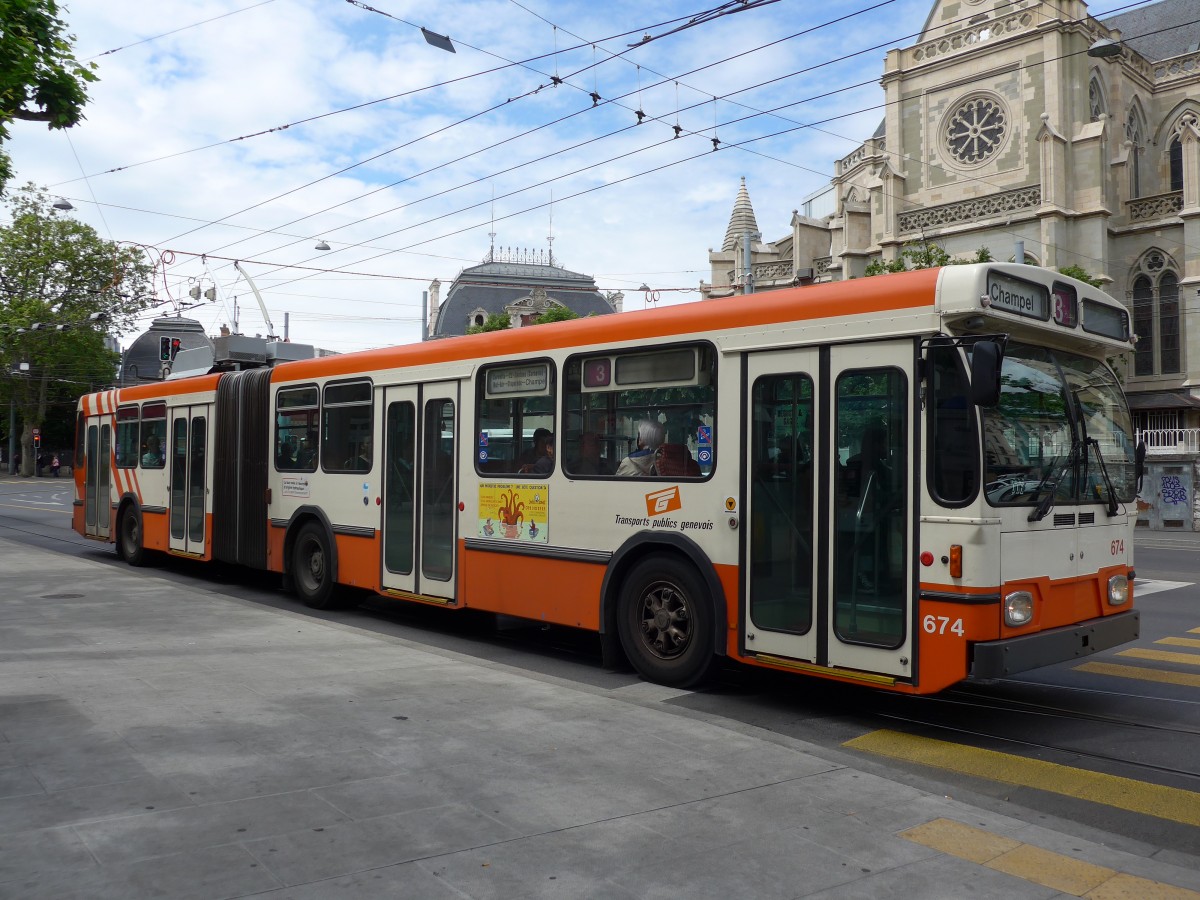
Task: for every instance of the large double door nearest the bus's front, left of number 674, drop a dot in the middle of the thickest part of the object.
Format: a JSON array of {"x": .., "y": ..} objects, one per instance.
[{"x": 830, "y": 507}]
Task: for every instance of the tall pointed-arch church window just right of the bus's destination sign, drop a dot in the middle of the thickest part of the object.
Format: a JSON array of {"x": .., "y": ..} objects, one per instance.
[{"x": 1156, "y": 316}]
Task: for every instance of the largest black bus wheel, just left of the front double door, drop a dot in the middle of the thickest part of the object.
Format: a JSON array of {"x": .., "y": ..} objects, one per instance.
[{"x": 667, "y": 622}]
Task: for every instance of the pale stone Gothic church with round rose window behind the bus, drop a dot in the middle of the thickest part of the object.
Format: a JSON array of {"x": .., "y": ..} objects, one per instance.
[{"x": 1030, "y": 125}]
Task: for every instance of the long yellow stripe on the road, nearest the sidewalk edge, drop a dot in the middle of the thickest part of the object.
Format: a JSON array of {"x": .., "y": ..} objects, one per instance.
[{"x": 1125, "y": 794}]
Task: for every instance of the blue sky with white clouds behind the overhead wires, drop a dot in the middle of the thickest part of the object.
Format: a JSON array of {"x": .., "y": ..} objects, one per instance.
[{"x": 251, "y": 130}]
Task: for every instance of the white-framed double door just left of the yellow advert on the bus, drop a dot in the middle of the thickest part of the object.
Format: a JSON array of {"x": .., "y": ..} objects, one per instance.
[{"x": 421, "y": 505}]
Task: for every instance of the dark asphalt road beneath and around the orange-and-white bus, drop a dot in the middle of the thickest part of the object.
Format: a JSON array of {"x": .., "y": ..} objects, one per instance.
[{"x": 1132, "y": 713}]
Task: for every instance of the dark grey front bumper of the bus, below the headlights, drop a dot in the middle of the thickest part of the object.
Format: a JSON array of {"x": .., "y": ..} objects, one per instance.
[{"x": 997, "y": 659}]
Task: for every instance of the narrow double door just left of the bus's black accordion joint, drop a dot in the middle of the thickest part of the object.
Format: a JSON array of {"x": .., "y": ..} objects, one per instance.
[{"x": 189, "y": 481}]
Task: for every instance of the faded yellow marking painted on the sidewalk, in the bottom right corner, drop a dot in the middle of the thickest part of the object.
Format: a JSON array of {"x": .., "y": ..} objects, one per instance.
[{"x": 1037, "y": 866}]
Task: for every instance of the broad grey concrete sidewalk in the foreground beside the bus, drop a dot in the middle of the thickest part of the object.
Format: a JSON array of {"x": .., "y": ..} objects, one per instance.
[{"x": 170, "y": 742}]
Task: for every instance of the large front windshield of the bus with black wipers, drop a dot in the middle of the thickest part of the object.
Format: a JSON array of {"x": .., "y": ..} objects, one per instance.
[{"x": 1063, "y": 428}]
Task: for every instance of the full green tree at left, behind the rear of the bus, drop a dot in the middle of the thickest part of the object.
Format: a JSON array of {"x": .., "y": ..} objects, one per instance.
[{"x": 62, "y": 289}]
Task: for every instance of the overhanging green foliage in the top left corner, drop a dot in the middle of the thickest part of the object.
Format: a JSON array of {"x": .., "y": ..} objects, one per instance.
[{"x": 40, "y": 79}]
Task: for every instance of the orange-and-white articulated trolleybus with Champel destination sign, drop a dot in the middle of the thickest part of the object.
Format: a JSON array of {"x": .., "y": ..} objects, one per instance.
[{"x": 903, "y": 482}]
